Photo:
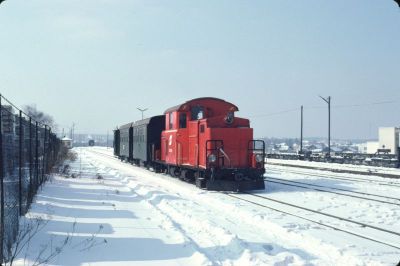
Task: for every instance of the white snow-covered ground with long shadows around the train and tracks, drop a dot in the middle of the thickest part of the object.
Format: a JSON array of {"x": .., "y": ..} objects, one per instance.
[{"x": 114, "y": 213}]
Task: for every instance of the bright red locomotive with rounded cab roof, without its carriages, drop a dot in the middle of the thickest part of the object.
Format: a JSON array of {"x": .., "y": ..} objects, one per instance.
[{"x": 205, "y": 142}]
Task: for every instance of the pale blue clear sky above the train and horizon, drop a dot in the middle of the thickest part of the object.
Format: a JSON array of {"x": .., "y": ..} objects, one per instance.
[{"x": 93, "y": 62}]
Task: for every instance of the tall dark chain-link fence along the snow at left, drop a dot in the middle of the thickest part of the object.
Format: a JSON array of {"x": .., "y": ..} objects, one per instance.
[{"x": 28, "y": 151}]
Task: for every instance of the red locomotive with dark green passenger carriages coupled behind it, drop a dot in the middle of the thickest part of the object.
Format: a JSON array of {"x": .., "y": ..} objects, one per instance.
[{"x": 199, "y": 141}]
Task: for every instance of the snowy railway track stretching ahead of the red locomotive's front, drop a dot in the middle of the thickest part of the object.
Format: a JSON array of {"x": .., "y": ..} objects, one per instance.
[{"x": 285, "y": 208}]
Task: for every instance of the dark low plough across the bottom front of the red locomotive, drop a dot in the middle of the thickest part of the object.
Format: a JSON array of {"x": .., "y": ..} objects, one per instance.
[{"x": 225, "y": 185}]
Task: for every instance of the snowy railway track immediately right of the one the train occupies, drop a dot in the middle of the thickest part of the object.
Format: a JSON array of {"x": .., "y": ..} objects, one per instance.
[{"x": 378, "y": 198}]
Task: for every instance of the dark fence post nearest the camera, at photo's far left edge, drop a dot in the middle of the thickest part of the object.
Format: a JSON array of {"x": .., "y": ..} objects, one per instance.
[{"x": 1, "y": 187}]
